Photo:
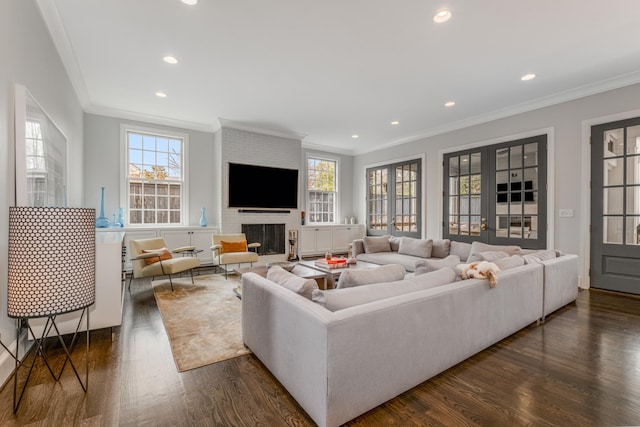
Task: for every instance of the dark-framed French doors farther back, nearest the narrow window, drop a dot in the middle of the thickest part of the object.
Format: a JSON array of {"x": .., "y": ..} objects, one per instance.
[{"x": 394, "y": 199}]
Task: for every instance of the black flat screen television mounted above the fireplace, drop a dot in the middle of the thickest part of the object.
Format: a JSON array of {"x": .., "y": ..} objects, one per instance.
[{"x": 262, "y": 187}]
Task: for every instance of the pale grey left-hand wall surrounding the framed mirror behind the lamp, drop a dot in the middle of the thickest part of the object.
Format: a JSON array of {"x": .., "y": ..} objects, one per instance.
[{"x": 29, "y": 58}]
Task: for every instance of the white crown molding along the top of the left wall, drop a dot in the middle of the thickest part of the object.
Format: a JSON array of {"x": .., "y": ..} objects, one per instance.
[{"x": 51, "y": 17}]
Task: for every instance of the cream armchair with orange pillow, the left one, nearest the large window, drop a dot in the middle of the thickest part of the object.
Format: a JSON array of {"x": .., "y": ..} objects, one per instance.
[{"x": 150, "y": 258}]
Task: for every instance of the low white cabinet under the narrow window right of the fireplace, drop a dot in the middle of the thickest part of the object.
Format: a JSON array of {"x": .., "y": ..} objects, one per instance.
[{"x": 316, "y": 240}]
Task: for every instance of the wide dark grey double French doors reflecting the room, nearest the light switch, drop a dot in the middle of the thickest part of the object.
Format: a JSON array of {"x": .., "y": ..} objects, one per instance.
[{"x": 497, "y": 194}]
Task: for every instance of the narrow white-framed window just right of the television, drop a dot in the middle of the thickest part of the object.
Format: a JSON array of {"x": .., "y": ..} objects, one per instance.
[{"x": 322, "y": 190}]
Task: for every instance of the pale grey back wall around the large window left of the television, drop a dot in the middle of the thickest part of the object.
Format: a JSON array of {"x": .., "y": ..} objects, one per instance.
[{"x": 103, "y": 168}]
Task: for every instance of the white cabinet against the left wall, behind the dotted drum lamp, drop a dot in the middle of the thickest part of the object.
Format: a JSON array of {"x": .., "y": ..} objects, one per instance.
[{"x": 110, "y": 287}]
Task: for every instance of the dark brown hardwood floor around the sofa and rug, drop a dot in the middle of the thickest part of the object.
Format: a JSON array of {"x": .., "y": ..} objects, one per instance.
[{"x": 581, "y": 367}]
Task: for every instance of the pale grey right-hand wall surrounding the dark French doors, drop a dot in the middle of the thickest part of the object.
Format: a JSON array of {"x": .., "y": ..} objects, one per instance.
[{"x": 565, "y": 124}]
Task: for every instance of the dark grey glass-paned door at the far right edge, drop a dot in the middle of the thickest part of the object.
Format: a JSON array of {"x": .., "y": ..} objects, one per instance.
[{"x": 615, "y": 206}]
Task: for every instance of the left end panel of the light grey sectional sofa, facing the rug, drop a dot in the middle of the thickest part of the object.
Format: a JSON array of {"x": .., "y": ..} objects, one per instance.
[{"x": 288, "y": 333}]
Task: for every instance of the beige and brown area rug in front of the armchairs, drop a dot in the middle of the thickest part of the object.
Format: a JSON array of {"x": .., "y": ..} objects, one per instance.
[{"x": 202, "y": 320}]
